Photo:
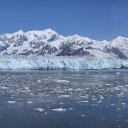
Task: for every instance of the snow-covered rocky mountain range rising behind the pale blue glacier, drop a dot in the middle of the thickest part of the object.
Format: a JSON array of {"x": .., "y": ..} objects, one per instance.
[{"x": 50, "y": 43}]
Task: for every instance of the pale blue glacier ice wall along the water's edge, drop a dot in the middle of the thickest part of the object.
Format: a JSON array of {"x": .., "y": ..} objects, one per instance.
[{"x": 58, "y": 63}]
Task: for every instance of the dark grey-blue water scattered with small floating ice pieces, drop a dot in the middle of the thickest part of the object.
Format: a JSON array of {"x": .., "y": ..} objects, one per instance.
[{"x": 64, "y": 99}]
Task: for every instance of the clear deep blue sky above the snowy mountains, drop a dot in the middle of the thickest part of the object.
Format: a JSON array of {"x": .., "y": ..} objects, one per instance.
[{"x": 96, "y": 19}]
